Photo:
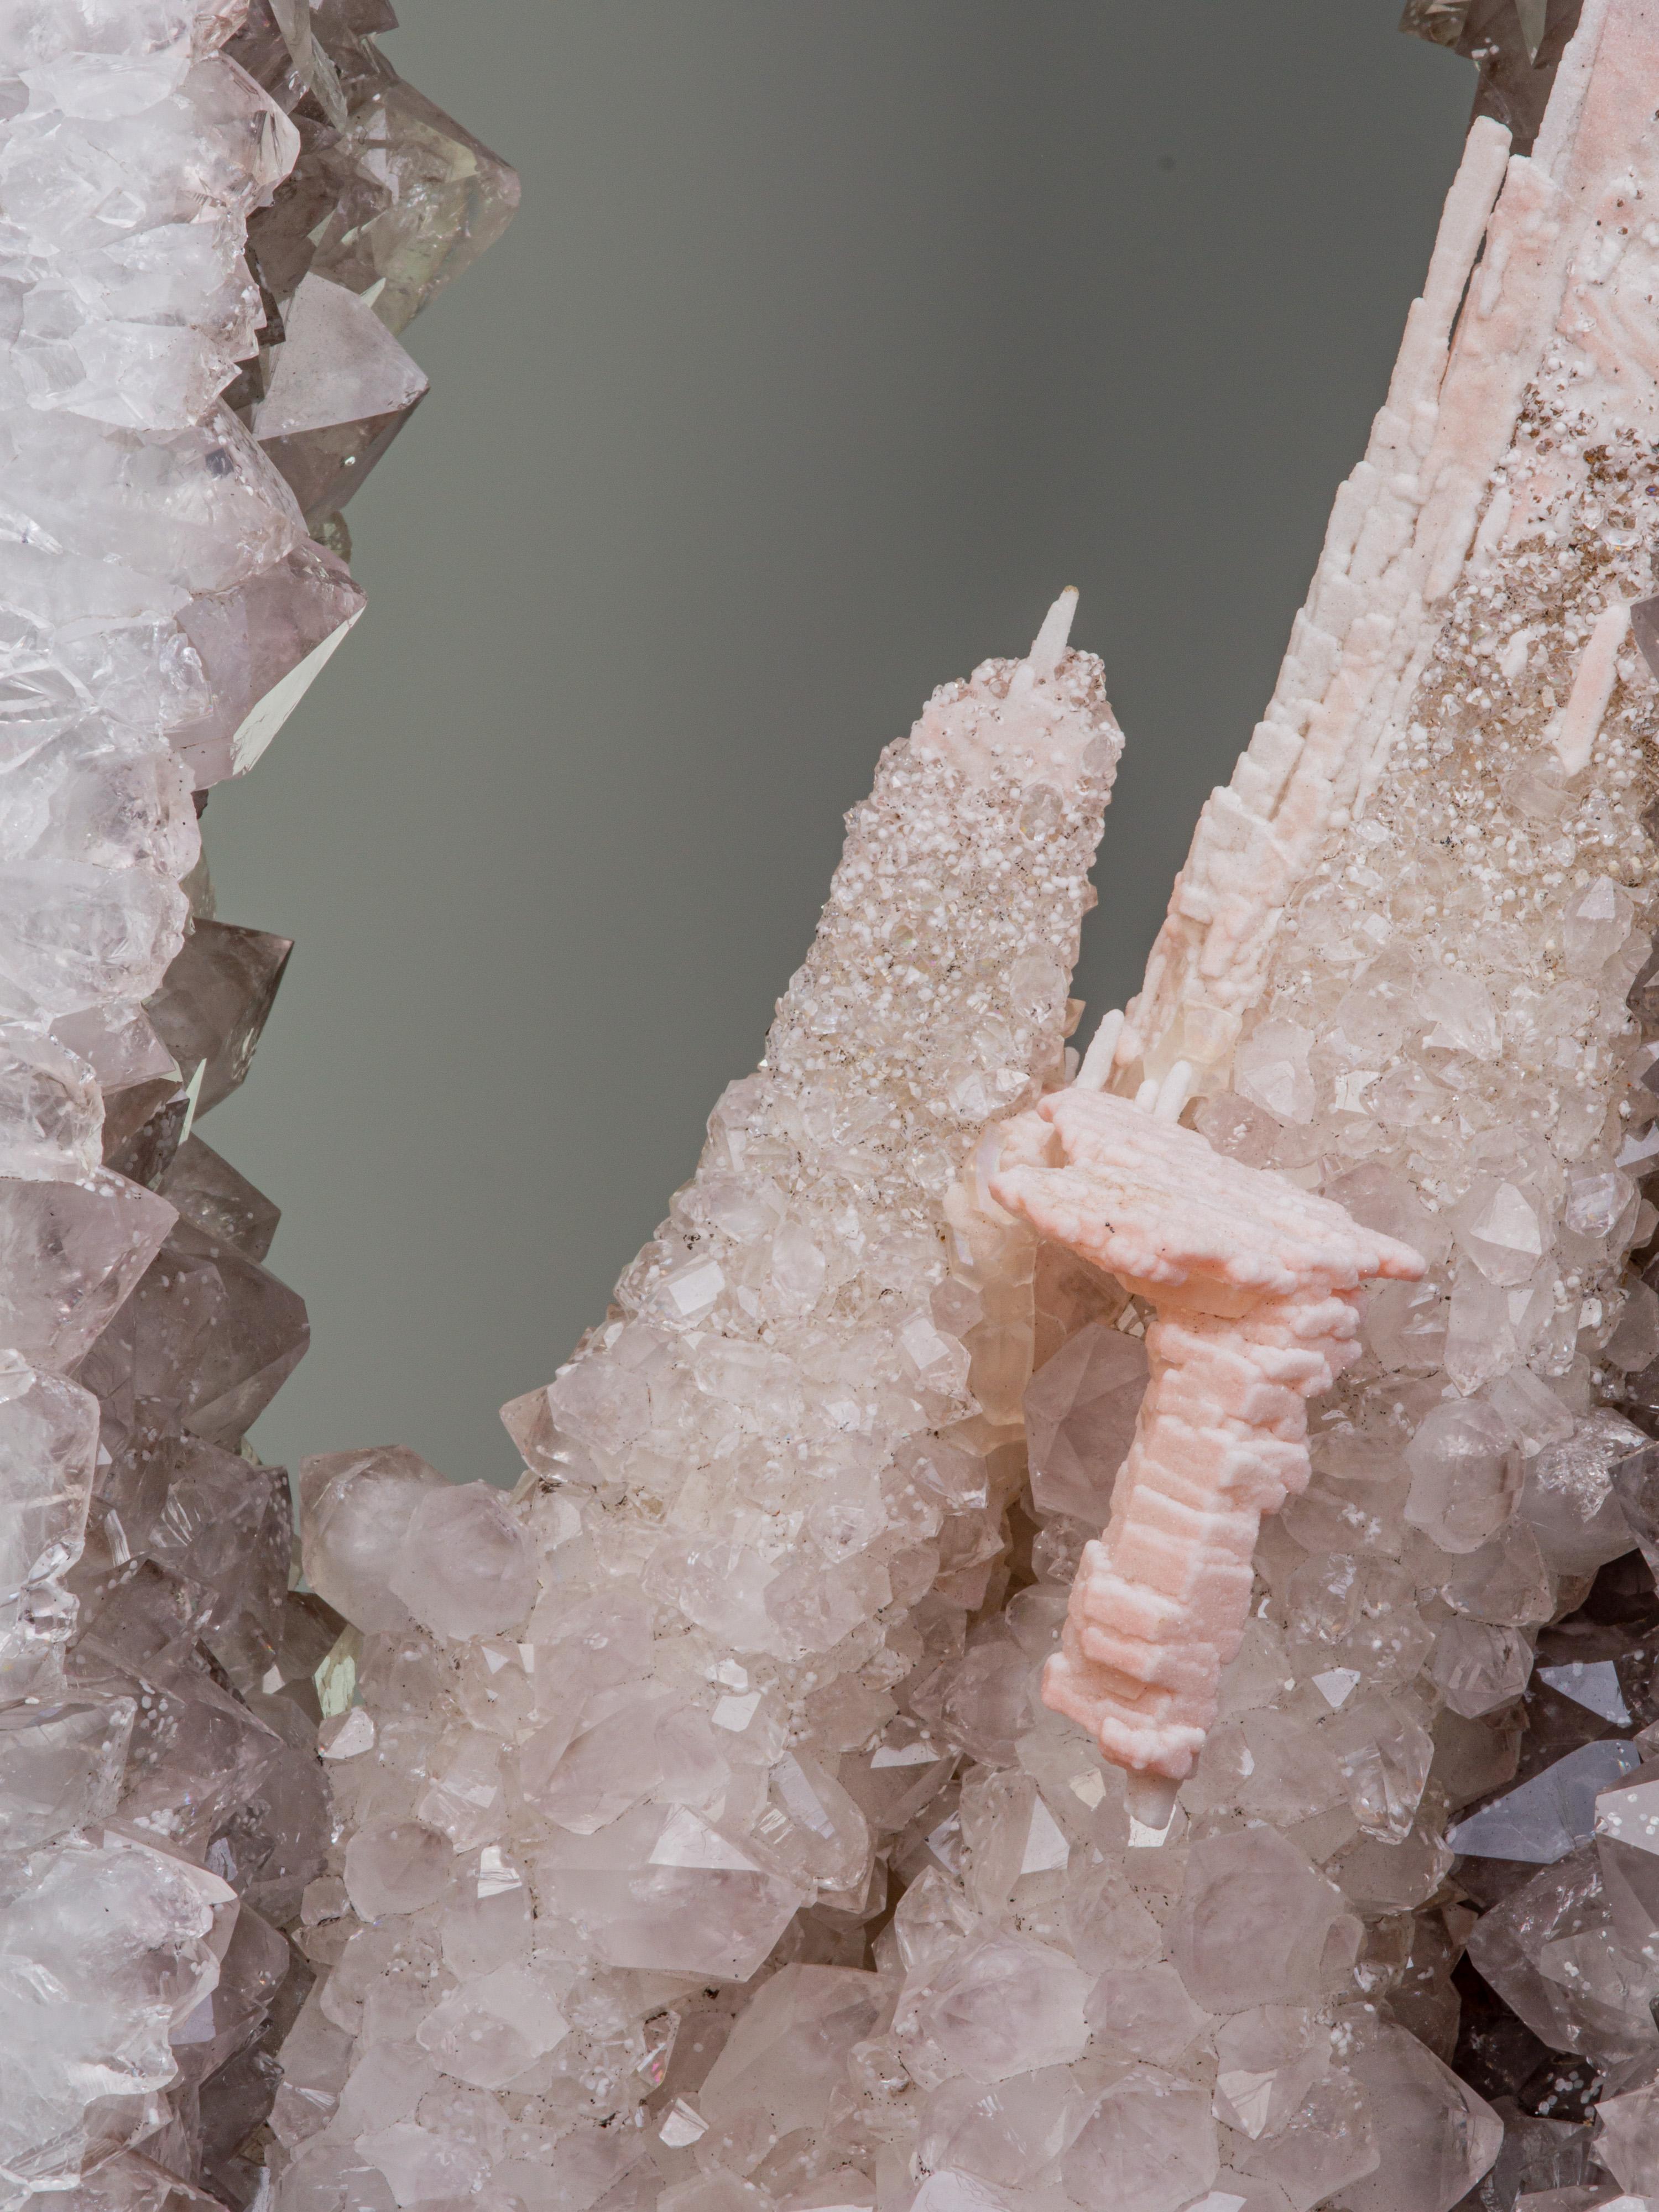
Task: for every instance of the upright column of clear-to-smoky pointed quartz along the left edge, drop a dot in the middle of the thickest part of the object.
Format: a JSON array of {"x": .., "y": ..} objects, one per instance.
[{"x": 163, "y": 607}]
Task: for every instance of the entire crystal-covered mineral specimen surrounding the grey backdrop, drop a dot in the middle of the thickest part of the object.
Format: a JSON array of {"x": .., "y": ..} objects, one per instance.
[{"x": 709, "y": 1824}]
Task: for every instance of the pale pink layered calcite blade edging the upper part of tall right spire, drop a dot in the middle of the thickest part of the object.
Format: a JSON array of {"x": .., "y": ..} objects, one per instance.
[{"x": 1530, "y": 353}]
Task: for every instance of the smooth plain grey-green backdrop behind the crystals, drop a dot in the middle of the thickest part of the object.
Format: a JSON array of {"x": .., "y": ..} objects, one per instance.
[{"x": 831, "y": 342}]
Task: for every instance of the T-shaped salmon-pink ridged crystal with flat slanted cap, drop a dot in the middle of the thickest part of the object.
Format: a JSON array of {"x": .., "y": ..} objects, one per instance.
[{"x": 1258, "y": 1293}]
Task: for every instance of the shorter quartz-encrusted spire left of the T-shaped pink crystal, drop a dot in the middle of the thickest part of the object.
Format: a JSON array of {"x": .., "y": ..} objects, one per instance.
[{"x": 632, "y": 1740}]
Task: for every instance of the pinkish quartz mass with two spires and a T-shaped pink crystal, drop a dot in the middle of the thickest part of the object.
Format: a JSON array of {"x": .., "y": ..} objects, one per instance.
[{"x": 702, "y": 1837}]
